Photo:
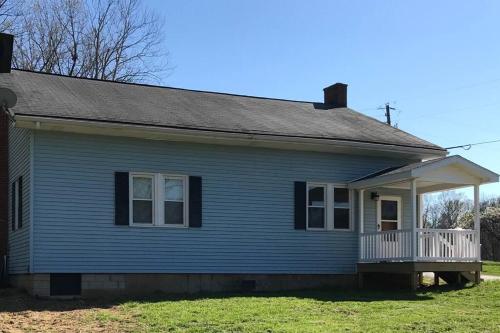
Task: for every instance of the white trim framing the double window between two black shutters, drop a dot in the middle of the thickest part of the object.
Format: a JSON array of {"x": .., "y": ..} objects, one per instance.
[{"x": 158, "y": 200}]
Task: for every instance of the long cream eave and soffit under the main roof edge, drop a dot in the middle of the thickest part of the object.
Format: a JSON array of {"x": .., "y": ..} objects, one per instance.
[{"x": 92, "y": 127}]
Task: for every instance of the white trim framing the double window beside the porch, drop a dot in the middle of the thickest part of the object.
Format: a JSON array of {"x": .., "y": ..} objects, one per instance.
[{"x": 329, "y": 207}]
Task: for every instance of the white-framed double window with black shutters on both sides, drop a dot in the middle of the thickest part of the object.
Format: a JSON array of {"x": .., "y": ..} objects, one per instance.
[{"x": 158, "y": 200}]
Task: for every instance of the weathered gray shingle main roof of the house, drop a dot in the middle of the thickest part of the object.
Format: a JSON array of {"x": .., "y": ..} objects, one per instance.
[{"x": 65, "y": 97}]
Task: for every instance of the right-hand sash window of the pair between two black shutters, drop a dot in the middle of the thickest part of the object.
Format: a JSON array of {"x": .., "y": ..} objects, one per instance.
[{"x": 174, "y": 195}]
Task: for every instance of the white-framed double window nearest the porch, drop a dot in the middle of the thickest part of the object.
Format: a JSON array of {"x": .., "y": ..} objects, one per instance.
[{"x": 328, "y": 207}]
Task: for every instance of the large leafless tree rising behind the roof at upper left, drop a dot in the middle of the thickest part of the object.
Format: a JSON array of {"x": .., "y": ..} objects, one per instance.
[{"x": 117, "y": 40}]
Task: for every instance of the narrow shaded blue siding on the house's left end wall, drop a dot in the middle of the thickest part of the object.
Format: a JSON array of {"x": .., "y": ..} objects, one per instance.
[{"x": 19, "y": 165}]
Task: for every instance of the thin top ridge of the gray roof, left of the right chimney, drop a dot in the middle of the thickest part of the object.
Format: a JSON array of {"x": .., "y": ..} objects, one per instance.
[{"x": 167, "y": 87}]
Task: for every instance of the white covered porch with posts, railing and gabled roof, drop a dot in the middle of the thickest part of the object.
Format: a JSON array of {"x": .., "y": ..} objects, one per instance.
[{"x": 413, "y": 243}]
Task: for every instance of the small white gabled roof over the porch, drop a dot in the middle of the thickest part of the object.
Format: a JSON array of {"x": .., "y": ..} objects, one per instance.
[{"x": 434, "y": 175}]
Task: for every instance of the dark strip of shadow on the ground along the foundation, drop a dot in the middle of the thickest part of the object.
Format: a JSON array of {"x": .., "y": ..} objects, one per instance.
[{"x": 15, "y": 301}]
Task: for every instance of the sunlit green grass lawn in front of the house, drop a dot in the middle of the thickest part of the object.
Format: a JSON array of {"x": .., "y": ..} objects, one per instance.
[{"x": 472, "y": 309}]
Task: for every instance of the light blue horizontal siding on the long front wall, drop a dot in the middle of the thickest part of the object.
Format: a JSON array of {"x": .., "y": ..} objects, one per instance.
[{"x": 248, "y": 222}]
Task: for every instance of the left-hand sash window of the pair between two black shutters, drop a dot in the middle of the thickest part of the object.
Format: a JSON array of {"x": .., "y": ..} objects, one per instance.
[{"x": 142, "y": 199}]
